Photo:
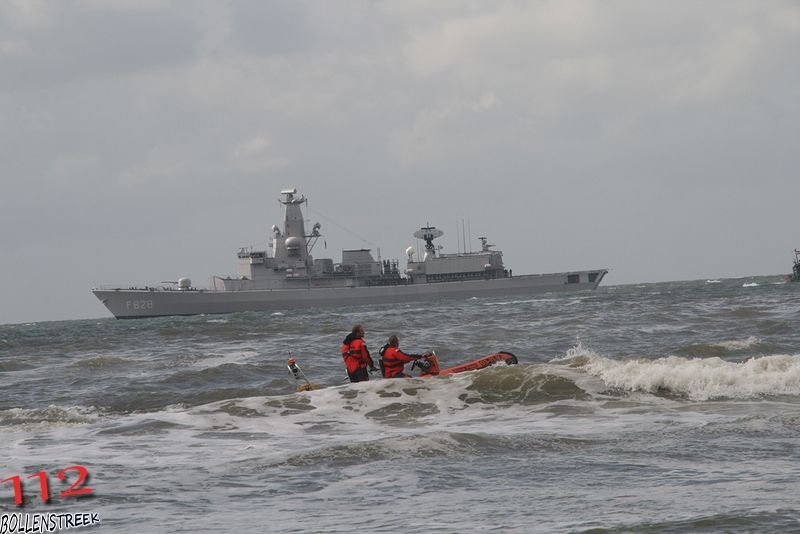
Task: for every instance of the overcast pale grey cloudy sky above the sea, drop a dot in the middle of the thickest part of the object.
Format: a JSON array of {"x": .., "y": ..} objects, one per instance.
[{"x": 144, "y": 140}]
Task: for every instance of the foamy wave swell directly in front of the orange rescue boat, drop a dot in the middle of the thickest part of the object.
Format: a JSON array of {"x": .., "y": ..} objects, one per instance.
[{"x": 404, "y": 403}]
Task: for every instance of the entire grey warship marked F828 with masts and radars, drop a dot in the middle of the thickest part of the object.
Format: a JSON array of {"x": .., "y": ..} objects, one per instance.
[{"x": 290, "y": 277}]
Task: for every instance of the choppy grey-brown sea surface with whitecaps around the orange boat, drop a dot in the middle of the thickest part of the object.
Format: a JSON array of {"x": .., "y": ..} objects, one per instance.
[{"x": 670, "y": 407}]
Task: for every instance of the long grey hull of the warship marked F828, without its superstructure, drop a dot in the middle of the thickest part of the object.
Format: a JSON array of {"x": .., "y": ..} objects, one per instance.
[{"x": 140, "y": 303}]
